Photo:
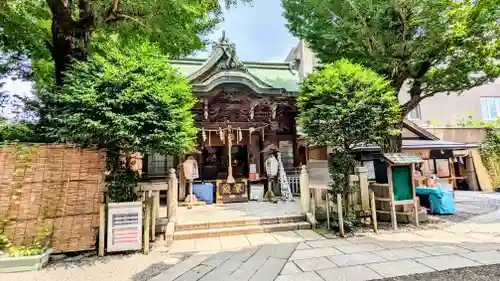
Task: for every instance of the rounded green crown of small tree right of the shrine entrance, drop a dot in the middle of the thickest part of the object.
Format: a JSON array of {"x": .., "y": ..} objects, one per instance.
[{"x": 345, "y": 104}]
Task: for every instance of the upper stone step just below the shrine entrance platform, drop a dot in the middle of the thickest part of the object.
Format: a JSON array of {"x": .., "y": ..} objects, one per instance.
[{"x": 238, "y": 223}]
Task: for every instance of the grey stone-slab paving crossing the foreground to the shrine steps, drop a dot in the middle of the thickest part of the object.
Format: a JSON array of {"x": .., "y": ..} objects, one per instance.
[{"x": 306, "y": 255}]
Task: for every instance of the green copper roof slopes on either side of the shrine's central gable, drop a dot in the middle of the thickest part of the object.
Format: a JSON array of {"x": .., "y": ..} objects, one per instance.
[{"x": 276, "y": 75}]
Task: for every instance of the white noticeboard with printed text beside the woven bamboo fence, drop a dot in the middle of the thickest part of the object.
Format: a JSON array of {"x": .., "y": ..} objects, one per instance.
[{"x": 124, "y": 226}]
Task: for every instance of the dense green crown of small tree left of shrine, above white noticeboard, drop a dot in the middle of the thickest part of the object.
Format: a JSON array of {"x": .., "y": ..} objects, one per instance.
[{"x": 130, "y": 100}]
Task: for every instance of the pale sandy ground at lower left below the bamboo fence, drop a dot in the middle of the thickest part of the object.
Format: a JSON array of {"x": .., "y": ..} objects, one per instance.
[{"x": 133, "y": 267}]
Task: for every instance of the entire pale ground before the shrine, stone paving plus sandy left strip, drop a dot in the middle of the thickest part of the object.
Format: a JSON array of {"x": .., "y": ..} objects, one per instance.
[{"x": 306, "y": 255}]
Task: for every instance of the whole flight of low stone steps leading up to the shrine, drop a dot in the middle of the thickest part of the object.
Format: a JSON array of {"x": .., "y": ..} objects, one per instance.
[{"x": 239, "y": 227}]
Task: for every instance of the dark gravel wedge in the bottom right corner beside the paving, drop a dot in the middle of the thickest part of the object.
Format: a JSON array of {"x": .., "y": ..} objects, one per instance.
[{"x": 478, "y": 273}]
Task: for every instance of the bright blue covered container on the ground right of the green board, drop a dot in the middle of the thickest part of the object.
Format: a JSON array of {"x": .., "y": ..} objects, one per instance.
[{"x": 440, "y": 201}]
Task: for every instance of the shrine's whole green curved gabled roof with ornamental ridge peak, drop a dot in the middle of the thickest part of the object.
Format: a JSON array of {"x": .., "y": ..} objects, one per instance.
[{"x": 224, "y": 67}]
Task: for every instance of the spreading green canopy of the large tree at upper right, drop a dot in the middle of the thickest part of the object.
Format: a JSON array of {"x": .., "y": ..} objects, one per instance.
[{"x": 435, "y": 45}]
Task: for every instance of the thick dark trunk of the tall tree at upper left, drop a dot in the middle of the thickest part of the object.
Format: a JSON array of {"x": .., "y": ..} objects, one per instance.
[{"x": 70, "y": 38}]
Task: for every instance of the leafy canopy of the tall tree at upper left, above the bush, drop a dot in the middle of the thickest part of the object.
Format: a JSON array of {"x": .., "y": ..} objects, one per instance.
[{"x": 31, "y": 30}]
